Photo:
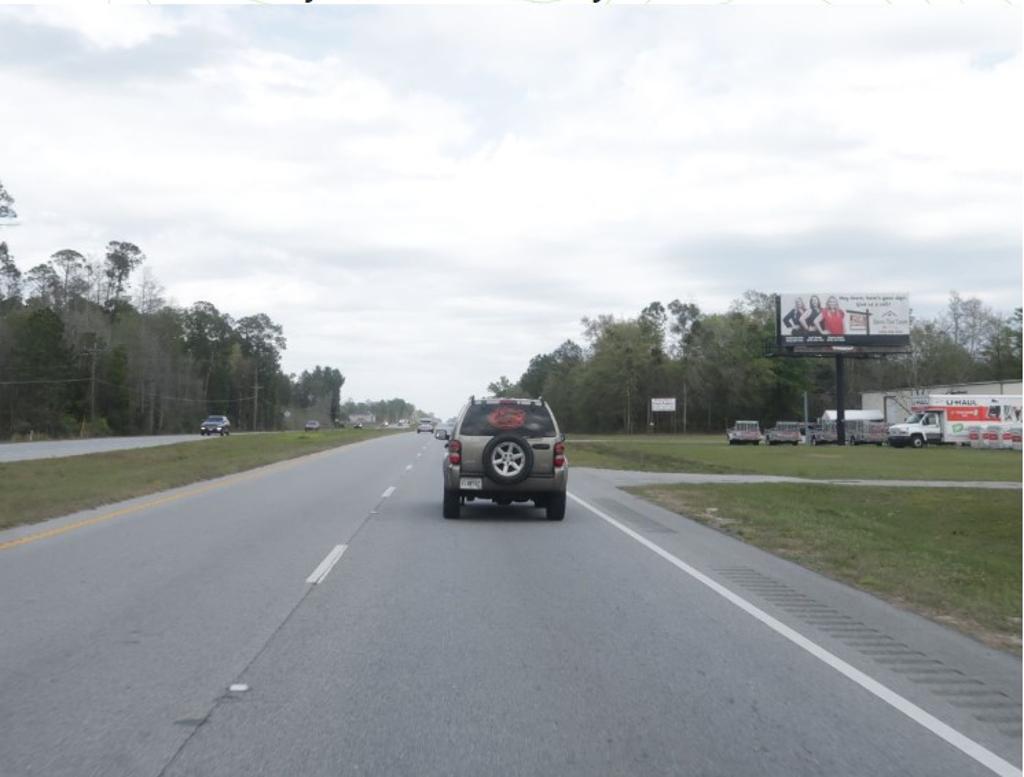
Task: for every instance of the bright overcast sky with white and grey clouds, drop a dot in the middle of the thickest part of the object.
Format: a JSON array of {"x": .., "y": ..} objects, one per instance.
[{"x": 426, "y": 198}]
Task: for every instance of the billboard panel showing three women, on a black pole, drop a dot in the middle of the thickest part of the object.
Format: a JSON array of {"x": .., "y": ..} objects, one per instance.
[{"x": 838, "y": 323}]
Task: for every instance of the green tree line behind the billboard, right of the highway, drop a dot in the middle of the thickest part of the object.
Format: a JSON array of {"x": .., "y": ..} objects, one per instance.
[{"x": 718, "y": 368}]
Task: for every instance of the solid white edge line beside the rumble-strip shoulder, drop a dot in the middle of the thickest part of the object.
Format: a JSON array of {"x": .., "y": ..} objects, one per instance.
[{"x": 967, "y": 746}]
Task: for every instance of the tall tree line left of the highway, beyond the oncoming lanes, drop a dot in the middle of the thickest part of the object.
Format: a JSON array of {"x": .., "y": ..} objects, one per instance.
[{"x": 90, "y": 347}]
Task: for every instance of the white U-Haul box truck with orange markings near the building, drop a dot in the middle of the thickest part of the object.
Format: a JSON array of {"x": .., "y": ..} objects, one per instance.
[{"x": 952, "y": 418}]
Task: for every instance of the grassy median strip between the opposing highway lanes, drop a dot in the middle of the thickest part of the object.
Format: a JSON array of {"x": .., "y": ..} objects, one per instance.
[{"x": 44, "y": 489}]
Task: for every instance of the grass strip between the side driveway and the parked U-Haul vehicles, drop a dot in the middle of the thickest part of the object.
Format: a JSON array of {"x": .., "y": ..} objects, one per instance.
[{"x": 711, "y": 454}]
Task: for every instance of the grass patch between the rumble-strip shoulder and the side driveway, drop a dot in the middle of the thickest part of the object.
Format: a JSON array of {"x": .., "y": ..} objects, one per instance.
[{"x": 953, "y": 555}]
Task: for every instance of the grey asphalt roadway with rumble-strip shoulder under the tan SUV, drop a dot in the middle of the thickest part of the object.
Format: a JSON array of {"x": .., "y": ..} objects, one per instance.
[{"x": 320, "y": 618}]
